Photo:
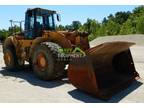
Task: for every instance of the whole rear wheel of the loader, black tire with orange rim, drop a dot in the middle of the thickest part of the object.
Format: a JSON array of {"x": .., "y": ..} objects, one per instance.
[{"x": 11, "y": 60}]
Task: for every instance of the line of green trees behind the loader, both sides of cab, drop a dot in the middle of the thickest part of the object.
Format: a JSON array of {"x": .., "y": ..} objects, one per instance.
[{"x": 120, "y": 23}]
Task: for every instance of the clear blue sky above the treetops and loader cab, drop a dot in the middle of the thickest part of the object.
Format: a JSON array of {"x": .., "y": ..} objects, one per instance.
[{"x": 68, "y": 13}]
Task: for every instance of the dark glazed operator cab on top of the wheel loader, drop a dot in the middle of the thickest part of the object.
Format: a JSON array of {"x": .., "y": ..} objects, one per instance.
[{"x": 37, "y": 20}]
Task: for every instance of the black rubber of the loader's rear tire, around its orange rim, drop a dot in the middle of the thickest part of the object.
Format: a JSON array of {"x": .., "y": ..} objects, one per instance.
[{"x": 14, "y": 64}]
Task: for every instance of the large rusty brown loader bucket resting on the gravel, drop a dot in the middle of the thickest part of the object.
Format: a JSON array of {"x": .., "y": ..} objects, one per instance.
[{"x": 105, "y": 70}]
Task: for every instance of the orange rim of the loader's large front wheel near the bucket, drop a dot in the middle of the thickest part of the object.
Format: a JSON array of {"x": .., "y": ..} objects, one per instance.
[{"x": 41, "y": 61}]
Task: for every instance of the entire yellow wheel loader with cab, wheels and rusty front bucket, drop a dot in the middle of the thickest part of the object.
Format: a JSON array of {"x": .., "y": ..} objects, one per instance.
[{"x": 101, "y": 70}]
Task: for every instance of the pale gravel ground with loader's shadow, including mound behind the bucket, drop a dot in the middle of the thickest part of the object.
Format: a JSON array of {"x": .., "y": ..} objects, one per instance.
[{"x": 23, "y": 86}]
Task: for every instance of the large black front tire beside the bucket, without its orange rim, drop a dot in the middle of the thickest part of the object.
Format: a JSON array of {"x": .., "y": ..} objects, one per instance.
[{"x": 55, "y": 68}]
